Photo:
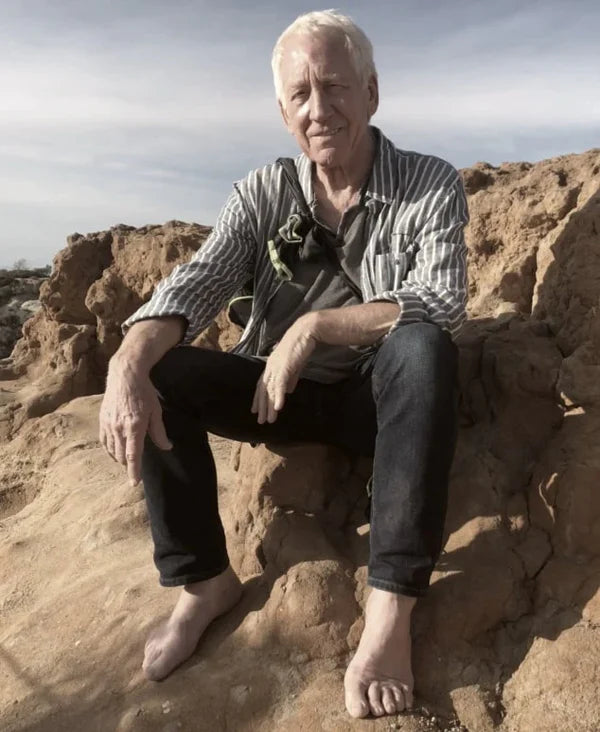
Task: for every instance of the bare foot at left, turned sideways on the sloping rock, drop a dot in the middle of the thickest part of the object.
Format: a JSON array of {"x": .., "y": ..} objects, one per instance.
[{"x": 200, "y": 603}]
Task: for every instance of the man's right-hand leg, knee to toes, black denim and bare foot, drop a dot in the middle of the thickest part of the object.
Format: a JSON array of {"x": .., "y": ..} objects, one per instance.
[{"x": 413, "y": 382}]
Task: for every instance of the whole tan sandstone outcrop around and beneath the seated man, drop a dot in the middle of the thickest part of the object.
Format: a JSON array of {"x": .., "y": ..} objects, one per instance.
[{"x": 508, "y": 636}]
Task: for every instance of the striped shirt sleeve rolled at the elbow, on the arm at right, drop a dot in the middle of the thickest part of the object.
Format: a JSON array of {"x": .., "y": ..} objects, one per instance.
[{"x": 435, "y": 287}]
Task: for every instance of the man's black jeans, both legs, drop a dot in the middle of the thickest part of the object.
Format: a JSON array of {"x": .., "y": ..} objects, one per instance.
[{"x": 399, "y": 408}]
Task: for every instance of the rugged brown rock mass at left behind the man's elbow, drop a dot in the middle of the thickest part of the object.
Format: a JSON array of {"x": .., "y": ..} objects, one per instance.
[{"x": 96, "y": 282}]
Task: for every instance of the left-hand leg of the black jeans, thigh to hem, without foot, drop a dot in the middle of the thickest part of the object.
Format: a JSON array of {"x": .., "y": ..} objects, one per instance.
[{"x": 206, "y": 391}]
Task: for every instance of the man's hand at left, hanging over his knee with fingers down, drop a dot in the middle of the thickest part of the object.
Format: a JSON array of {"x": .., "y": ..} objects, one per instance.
[{"x": 130, "y": 408}]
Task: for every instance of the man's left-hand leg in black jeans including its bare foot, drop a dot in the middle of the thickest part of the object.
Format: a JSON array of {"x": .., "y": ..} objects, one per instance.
[{"x": 204, "y": 390}]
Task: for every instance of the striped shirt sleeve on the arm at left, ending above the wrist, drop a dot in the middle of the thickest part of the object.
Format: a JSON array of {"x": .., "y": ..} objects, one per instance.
[{"x": 198, "y": 289}]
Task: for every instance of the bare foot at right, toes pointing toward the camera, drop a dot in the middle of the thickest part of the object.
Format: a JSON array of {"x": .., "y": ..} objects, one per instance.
[{"x": 379, "y": 678}]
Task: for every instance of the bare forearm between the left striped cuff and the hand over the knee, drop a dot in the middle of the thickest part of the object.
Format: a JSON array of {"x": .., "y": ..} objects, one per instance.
[{"x": 147, "y": 341}]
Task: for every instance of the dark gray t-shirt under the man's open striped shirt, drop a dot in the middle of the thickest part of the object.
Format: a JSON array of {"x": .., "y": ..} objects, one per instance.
[{"x": 319, "y": 283}]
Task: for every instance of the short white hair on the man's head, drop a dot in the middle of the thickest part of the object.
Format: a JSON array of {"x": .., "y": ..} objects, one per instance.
[{"x": 321, "y": 22}]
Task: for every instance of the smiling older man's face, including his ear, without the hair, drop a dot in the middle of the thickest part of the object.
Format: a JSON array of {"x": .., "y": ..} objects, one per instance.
[{"x": 324, "y": 104}]
